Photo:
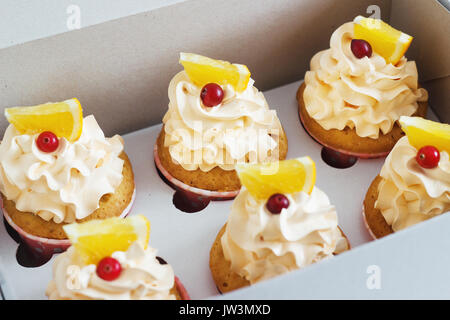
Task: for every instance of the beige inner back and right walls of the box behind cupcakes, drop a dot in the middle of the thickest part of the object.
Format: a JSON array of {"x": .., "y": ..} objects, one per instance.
[{"x": 120, "y": 69}]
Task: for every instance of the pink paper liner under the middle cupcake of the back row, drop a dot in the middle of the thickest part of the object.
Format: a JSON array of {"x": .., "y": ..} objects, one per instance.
[{"x": 196, "y": 192}]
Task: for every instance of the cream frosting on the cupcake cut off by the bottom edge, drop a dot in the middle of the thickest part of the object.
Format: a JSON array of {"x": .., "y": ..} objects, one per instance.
[{"x": 142, "y": 278}]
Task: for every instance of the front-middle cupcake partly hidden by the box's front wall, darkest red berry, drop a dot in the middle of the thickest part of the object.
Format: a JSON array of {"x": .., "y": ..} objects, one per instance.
[{"x": 279, "y": 222}]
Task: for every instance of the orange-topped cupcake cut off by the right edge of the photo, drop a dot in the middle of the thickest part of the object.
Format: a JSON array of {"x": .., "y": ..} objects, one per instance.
[{"x": 414, "y": 182}]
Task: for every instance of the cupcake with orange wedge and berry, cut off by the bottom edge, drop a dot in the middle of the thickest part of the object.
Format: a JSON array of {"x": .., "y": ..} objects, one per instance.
[{"x": 110, "y": 260}]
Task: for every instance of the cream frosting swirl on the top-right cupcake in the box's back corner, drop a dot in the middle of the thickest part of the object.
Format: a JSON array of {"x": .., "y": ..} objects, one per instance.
[{"x": 366, "y": 94}]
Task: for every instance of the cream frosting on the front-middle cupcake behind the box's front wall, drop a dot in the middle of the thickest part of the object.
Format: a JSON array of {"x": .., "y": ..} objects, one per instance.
[{"x": 261, "y": 245}]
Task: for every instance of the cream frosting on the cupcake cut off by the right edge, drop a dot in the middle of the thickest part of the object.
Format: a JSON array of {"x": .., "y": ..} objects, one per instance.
[{"x": 408, "y": 193}]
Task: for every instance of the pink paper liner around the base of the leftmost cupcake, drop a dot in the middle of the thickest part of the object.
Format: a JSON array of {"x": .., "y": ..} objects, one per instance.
[{"x": 45, "y": 246}]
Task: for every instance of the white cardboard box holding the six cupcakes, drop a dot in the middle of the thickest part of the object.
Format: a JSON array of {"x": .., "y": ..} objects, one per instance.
[{"x": 120, "y": 71}]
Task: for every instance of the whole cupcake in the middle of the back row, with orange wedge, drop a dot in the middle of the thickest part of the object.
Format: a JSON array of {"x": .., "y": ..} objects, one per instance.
[{"x": 216, "y": 119}]
